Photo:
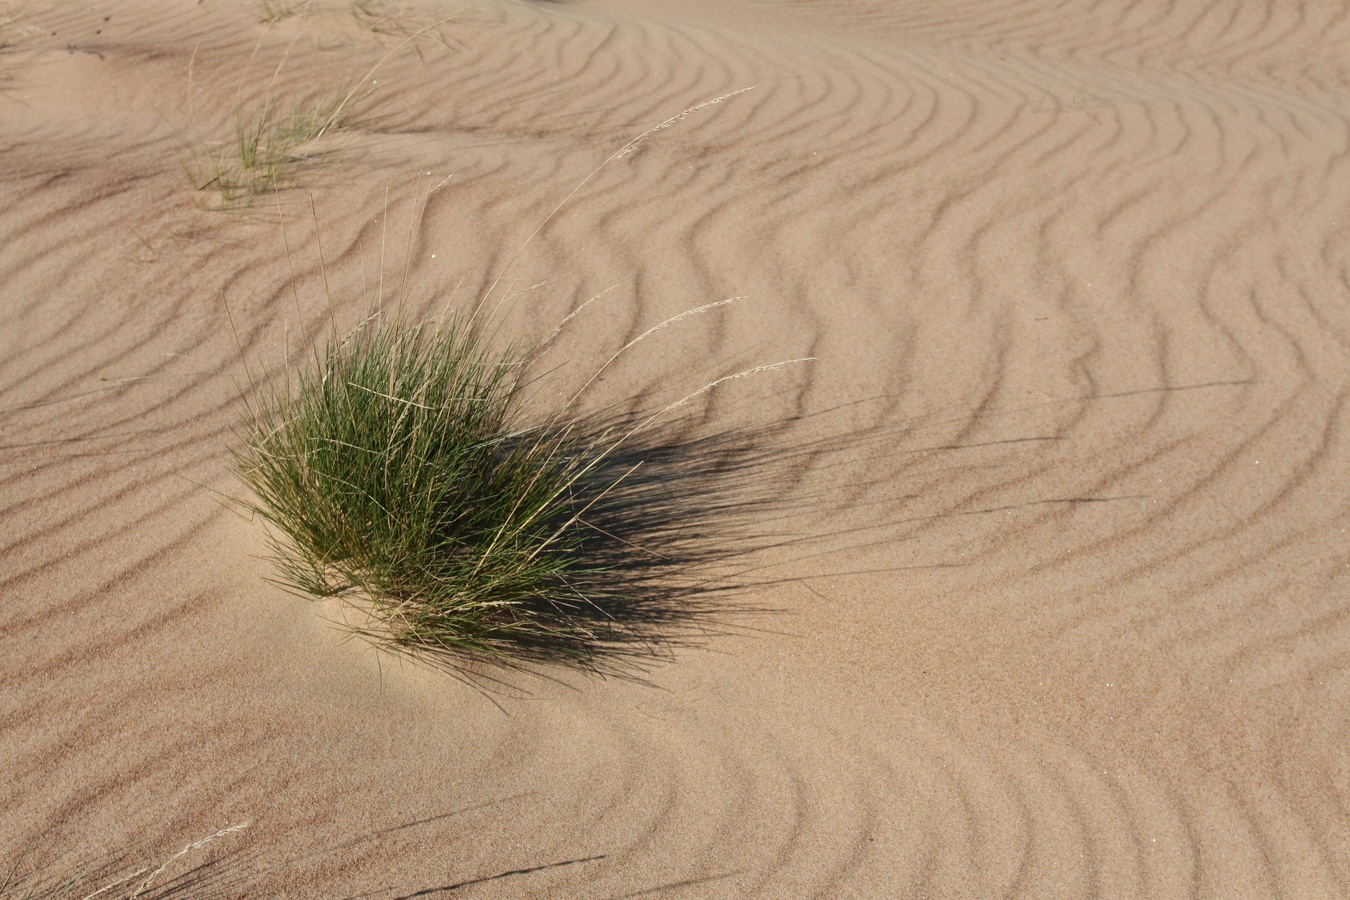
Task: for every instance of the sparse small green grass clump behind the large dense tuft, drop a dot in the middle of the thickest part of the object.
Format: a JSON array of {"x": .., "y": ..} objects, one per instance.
[{"x": 272, "y": 146}]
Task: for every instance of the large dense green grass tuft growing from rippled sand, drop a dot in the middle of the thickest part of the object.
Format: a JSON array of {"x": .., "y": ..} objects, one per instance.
[{"x": 395, "y": 473}]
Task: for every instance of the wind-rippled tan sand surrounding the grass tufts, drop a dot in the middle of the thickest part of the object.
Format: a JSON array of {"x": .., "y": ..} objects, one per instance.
[{"x": 1035, "y": 584}]
